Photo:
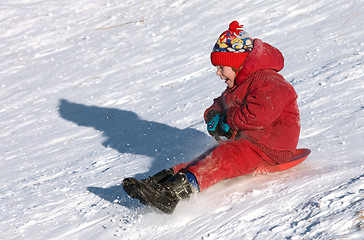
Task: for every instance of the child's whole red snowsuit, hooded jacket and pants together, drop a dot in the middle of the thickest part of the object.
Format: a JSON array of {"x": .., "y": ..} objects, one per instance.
[{"x": 262, "y": 107}]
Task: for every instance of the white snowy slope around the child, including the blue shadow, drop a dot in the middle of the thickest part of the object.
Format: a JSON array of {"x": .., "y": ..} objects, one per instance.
[{"x": 93, "y": 91}]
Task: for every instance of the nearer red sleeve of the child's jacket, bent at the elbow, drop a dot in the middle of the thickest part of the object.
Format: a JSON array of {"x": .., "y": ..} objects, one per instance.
[{"x": 262, "y": 106}]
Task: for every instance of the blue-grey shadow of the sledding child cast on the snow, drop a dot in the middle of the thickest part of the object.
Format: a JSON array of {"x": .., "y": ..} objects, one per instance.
[{"x": 127, "y": 133}]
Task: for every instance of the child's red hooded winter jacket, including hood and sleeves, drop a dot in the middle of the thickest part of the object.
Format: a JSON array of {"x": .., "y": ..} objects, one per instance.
[{"x": 262, "y": 106}]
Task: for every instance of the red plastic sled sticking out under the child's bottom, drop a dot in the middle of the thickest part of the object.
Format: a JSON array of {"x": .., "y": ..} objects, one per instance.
[{"x": 299, "y": 156}]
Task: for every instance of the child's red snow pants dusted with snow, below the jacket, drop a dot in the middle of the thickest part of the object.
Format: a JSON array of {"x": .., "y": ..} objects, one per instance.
[{"x": 228, "y": 160}]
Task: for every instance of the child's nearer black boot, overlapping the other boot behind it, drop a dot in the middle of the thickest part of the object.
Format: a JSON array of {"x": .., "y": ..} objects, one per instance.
[{"x": 164, "y": 195}]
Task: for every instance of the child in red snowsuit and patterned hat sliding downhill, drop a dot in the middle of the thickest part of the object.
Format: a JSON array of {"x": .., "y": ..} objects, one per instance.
[{"x": 257, "y": 112}]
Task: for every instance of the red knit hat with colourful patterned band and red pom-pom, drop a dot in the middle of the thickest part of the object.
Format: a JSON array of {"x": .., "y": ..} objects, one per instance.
[{"x": 232, "y": 47}]
